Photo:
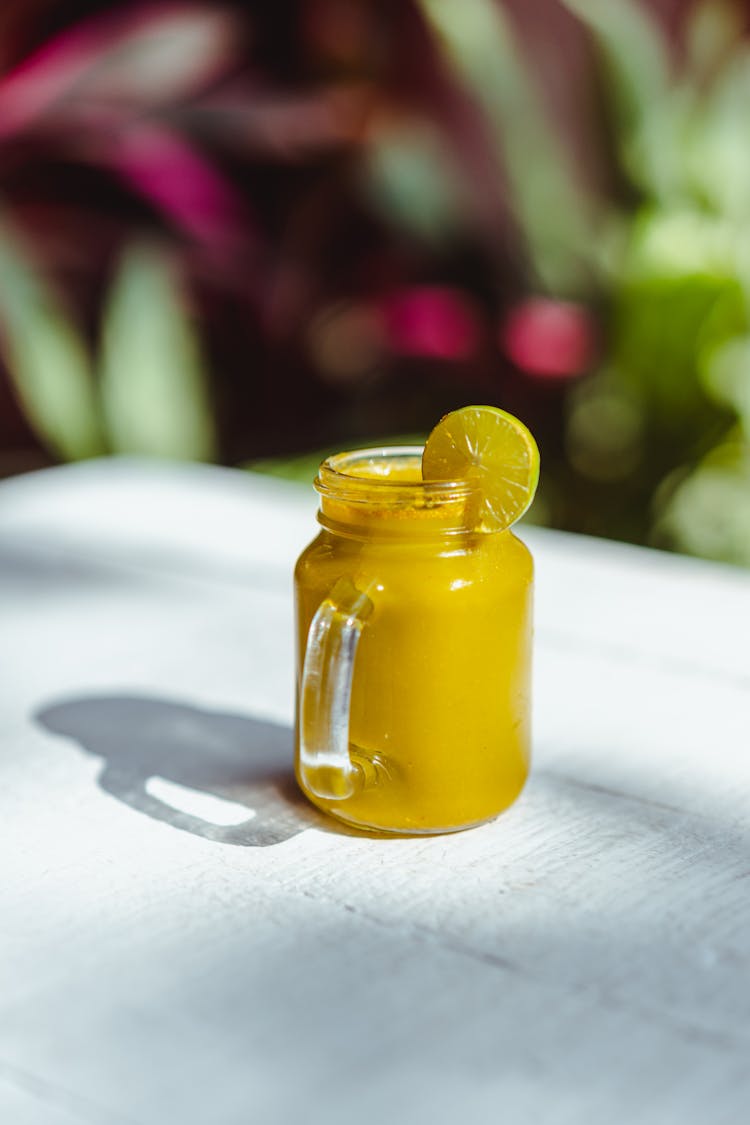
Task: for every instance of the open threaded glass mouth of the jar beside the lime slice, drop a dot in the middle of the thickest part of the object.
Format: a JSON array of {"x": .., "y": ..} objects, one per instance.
[{"x": 387, "y": 476}]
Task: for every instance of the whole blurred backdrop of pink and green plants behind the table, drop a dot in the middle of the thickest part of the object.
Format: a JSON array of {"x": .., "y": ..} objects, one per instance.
[{"x": 254, "y": 233}]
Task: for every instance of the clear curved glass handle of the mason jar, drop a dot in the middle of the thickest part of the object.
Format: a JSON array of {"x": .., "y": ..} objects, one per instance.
[{"x": 327, "y": 690}]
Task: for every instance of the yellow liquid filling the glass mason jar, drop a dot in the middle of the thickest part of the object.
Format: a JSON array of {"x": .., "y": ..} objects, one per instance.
[{"x": 440, "y": 710}]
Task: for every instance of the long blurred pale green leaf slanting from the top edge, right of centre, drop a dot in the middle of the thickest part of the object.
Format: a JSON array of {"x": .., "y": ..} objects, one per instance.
[{"x": 548, "y": 202}]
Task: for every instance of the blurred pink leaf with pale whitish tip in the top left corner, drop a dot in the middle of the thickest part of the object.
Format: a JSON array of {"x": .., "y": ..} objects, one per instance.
[{"x": 144, "y": 57}]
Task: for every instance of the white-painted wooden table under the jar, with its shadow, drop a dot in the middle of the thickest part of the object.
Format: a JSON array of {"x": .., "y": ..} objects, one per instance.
[{"x": 183, "y": 940}]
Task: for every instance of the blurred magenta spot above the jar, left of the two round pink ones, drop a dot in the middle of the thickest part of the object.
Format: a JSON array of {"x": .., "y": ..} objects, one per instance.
[{"x": 431, "y": 322}]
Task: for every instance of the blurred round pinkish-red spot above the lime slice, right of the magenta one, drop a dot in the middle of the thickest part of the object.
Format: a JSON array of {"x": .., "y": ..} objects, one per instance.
[{"x": 550, "y": 339}]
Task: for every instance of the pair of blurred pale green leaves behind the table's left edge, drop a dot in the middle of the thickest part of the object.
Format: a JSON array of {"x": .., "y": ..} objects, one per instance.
[{"x": 142, "y": 392}]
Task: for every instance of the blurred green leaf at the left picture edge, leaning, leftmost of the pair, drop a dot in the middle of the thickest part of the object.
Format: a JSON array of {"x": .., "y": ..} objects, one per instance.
[{"x": 47, "y": 357}]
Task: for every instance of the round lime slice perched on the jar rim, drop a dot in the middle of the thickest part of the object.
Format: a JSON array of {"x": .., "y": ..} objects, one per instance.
[{"x": 492, "y": 449}]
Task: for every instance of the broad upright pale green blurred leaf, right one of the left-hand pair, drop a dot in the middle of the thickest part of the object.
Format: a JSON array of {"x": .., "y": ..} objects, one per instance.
[{"x": 153, "y": 382}]
